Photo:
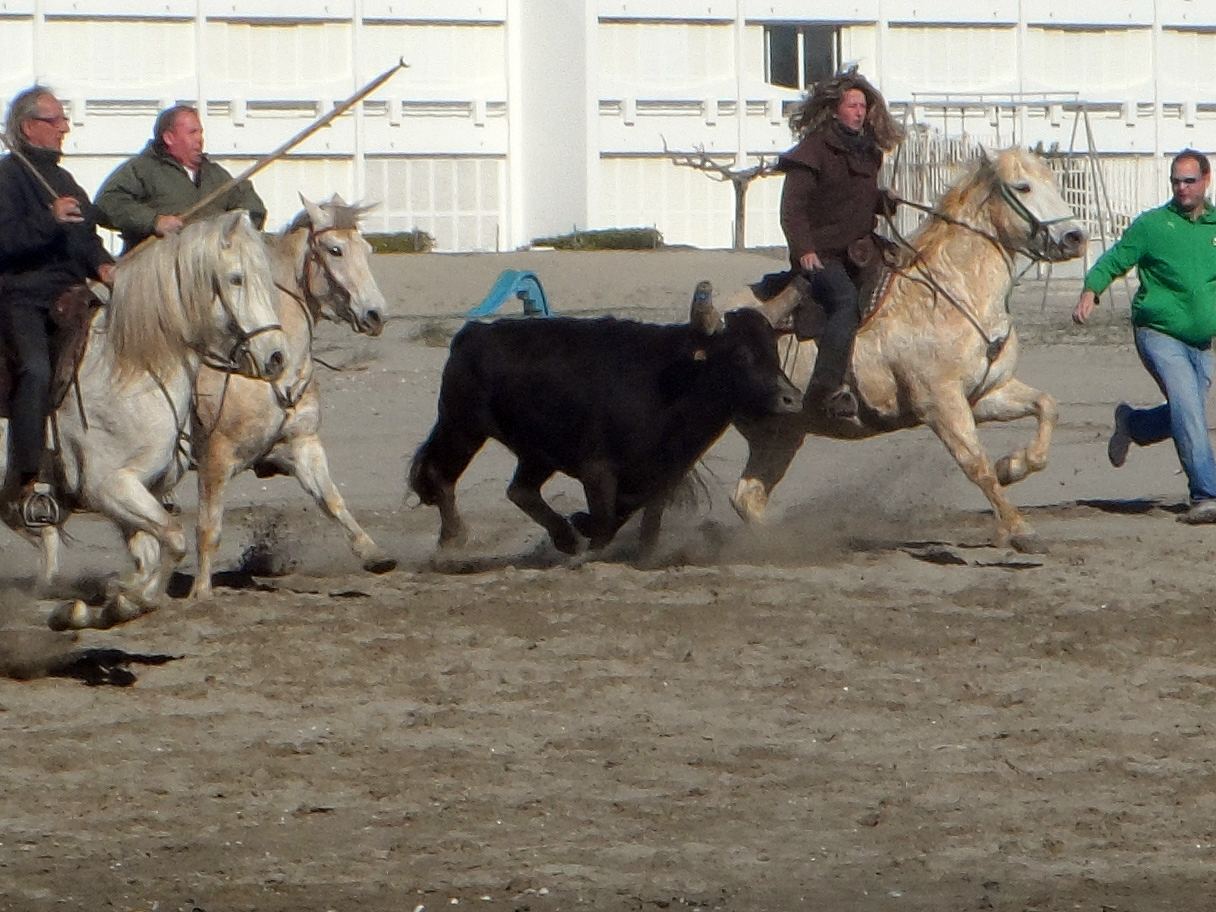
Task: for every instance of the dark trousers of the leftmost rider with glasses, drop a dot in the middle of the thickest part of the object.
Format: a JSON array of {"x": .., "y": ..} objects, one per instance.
[{"x": 26, "y": 334}]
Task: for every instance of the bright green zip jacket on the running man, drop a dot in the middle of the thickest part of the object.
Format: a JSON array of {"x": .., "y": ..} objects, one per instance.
[{"x": 1176, "y": 261}]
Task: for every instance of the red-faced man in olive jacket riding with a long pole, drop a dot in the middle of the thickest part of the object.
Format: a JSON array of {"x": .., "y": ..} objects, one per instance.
[{"x": 147, "y": 194}]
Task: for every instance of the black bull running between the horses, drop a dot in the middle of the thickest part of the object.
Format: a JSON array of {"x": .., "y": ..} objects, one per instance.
[{"x": 623, "y": 407}]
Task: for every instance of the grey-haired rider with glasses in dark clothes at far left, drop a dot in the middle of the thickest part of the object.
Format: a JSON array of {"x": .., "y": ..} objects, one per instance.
[{"x": 48, "y": 245}]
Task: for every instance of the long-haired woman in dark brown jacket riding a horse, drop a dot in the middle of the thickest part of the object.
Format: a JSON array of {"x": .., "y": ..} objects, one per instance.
[{"x": 830, "y": 205}]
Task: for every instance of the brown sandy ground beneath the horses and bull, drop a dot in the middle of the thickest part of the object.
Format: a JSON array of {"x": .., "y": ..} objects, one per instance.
[{"x": 859, "y": 707}]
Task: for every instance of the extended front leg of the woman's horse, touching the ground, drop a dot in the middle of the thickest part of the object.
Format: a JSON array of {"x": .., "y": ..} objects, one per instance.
[{"x": 950, "y": 418}]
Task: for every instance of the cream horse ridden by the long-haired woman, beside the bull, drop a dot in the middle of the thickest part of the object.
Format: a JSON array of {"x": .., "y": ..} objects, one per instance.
[{"x": 942, "y": 350}]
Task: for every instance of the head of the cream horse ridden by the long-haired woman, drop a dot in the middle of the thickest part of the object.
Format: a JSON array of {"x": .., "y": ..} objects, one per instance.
[{"x": 1026, "y": 207}]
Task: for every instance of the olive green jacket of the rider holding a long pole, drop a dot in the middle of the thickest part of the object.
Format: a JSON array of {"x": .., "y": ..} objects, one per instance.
[{"x": 155, "y": 184}]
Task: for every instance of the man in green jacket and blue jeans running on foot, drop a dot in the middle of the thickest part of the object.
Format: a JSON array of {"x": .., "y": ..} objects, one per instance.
[{"x": 1174, "y": 316}]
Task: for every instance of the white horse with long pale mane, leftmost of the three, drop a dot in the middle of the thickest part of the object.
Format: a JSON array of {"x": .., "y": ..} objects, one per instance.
[{"x": 205, "y": 295}]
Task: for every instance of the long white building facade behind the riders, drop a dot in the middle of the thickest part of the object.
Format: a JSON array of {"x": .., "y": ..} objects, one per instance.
[{"x": 522, "y": 119}]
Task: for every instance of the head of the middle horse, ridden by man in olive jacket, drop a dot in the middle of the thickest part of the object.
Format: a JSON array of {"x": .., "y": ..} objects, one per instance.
[{"x": 337, "y": 266}]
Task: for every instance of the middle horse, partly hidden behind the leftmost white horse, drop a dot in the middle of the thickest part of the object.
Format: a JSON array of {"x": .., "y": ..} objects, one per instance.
[{"x": 322, "y": 267}]
